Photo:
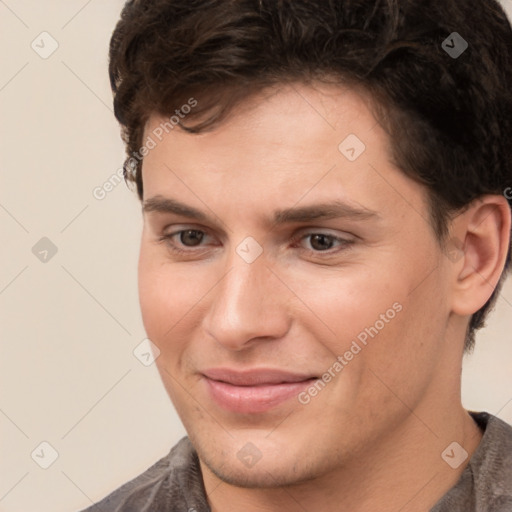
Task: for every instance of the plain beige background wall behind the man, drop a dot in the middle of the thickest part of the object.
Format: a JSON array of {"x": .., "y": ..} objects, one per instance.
[{"x": 69, "y": 326}]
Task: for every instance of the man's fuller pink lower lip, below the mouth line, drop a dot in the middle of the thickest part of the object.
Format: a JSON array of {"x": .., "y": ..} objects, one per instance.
[{"x": 254, "y": 399}]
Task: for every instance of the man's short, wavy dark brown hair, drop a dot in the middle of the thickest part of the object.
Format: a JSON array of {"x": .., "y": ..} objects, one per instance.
[{"x": 448, "y": 117}]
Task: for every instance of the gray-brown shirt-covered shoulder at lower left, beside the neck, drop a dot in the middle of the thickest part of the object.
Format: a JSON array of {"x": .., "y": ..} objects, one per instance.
[{"x": 172, "y": 483}]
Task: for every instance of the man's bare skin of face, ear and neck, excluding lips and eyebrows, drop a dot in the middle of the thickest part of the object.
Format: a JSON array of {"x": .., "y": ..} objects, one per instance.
[{"x": 372, "y": 438}]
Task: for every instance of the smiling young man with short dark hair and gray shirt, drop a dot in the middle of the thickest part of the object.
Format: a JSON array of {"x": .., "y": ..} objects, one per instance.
[{"x": 325, "y": 228}]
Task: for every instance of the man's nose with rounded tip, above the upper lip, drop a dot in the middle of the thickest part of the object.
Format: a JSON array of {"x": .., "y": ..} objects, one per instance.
[{"x": 248, "y": 304}]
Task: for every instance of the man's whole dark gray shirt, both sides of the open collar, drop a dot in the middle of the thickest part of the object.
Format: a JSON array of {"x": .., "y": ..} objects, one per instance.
[{"x": 175, "y": 484}]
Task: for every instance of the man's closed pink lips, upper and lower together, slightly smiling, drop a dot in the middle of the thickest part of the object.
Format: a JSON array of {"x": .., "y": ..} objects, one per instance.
[{"x": 256, "y": 390}]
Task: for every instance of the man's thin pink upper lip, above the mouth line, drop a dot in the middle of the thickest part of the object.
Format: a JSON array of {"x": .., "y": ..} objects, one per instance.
[{"x": 255, "y": 377}]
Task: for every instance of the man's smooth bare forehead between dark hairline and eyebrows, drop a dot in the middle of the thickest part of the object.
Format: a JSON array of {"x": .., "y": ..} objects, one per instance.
[{"x": 286, "y": 145}]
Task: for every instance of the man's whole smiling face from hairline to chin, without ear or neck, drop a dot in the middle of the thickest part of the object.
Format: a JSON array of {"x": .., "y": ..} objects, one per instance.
[{"x": 293, "y": 285}]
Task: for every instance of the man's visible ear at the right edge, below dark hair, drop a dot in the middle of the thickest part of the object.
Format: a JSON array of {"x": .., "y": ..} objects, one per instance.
[{"x": 482, "y": 235}]
